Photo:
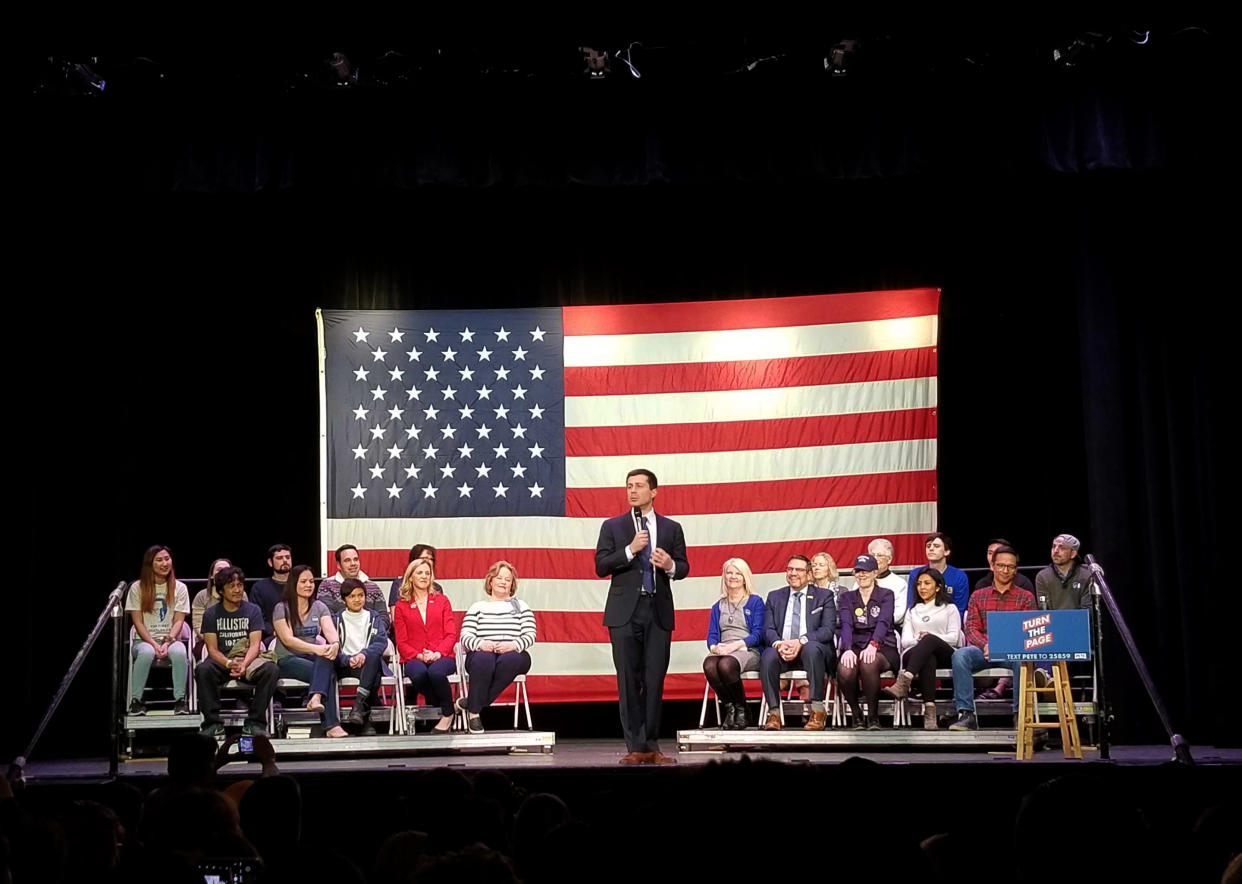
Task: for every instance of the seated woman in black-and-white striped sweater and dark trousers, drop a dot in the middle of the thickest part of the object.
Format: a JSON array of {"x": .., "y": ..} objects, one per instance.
[{"x": 497, "y": 634}]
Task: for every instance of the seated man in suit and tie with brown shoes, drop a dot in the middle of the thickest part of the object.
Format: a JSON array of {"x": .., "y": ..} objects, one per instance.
[{"x": 799, "y": 634}]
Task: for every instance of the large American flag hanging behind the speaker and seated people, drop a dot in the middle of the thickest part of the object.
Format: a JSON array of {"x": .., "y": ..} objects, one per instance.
[{"x": 776, "y": 426}]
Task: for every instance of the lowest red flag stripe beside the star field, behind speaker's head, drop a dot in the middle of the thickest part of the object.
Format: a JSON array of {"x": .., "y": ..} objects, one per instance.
[{"x": 771, "y": 496}]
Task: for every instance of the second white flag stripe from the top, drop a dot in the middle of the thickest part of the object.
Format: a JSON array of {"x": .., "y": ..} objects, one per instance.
[{"x": 751, "y": 405}]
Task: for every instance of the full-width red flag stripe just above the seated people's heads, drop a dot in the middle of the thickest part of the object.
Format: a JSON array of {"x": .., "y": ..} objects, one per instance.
[{"x": 568, "y": 564}]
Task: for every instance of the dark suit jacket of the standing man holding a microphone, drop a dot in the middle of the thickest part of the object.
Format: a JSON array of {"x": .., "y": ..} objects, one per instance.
[{"x": 610, "y": 562}]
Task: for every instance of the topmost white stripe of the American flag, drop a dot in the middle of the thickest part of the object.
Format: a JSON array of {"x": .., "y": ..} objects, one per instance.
[{"x": 746, "y": 345}]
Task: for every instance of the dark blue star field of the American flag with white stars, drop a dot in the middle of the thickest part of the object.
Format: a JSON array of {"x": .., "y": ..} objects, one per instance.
[{"x": 437, "y": 414}]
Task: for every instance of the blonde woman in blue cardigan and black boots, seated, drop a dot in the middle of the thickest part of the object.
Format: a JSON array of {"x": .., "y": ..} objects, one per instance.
[{"x": 735, "y": 635}]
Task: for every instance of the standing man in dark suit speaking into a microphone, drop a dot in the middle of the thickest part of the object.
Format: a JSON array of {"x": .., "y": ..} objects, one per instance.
[{"x": 643, "y": 557}]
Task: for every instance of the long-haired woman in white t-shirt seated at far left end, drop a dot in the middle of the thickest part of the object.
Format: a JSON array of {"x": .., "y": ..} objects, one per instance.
[{"x": 158, "y": 621}]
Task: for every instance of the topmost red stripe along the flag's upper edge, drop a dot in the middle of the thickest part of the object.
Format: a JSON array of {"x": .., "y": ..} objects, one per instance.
[{"x": 716, "y": 316}]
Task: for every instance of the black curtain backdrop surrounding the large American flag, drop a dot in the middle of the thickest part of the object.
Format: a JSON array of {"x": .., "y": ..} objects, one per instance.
[{"x": 171, "y": 250}]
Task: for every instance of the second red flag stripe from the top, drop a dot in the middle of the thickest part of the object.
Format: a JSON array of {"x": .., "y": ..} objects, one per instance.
[{"x": 756, "y": 374}]
